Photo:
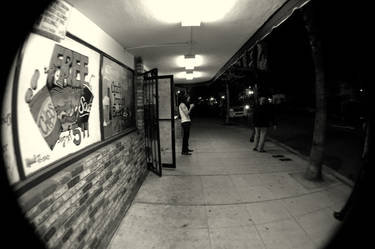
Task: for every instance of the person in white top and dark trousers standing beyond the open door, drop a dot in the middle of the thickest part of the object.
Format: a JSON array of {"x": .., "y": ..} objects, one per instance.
[{"x": 184, "y": 112}]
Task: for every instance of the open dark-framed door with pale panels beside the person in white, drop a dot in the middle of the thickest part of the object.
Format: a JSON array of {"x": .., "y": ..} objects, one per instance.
[{"x": 166, "y": 121}]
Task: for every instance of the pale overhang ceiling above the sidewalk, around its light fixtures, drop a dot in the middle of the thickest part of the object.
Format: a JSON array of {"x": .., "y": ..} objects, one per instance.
[{"x": 155, "y": 33}]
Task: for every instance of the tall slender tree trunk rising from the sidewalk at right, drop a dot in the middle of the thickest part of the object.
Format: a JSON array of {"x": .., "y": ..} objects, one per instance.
[{"x": 314, "y": 169}]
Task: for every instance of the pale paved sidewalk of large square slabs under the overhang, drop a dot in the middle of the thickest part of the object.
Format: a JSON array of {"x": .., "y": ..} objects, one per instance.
[{"x": 227, "y": 196}]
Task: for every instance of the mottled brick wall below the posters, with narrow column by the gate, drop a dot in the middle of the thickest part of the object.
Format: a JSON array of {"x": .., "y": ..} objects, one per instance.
[{"x": 82, "y": 205}]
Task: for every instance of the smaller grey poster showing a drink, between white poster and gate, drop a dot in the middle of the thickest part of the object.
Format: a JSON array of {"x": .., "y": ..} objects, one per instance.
[{"x": 117, "y": 99}]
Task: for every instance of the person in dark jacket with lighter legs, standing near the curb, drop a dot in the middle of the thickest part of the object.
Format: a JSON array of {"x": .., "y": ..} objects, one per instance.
[{"x": 263, "y": 118}]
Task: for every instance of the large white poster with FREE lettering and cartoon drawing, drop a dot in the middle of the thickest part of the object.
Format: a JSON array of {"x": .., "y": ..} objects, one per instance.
[{"x": 57, "y": 100}]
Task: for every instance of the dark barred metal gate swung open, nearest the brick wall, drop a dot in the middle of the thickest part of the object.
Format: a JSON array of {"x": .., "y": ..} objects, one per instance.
[{"x": 151, "y": 118}]
